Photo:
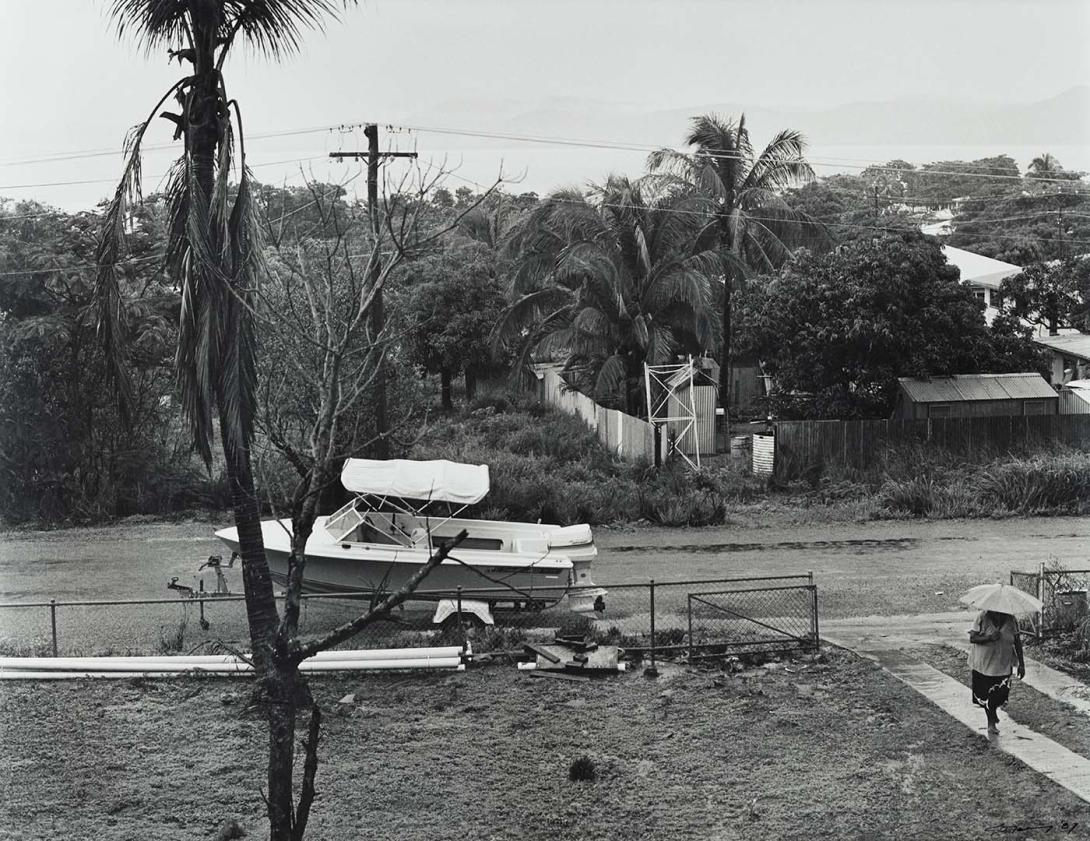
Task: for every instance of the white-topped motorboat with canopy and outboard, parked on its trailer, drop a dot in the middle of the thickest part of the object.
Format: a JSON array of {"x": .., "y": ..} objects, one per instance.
[{"x": 403, "y": 510}]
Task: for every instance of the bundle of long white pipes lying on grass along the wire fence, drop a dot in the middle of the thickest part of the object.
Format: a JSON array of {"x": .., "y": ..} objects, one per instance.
[{"x": 135, "y": 664}]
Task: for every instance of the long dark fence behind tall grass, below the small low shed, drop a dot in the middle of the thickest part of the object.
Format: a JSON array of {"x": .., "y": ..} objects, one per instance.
[{"x": 806, "y": 446}]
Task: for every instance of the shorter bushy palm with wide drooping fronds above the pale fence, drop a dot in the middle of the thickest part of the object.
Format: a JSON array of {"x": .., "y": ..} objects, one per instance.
[{"x": 607, "y": 283}]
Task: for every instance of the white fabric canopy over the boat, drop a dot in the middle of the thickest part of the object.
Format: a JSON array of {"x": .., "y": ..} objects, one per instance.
[{"x": 439, "y": 481}]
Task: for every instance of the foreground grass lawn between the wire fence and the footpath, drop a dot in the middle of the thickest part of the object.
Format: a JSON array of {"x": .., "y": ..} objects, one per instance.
[{"x": 832, "y": 750}]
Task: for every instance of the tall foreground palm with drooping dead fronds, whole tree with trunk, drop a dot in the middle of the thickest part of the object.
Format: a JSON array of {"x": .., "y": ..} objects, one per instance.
[{"x": 214, "y": 257}]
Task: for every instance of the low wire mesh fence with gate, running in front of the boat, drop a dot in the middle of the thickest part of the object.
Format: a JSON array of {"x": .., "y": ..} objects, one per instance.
[{"x": 640, "y": 617}]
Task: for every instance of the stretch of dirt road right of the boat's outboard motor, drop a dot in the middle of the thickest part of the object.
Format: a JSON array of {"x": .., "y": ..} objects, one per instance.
[{"x": 886, "y": 568}]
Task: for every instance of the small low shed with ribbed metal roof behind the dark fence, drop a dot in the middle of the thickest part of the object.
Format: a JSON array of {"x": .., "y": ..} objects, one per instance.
[{"x": 975, "y": 396}]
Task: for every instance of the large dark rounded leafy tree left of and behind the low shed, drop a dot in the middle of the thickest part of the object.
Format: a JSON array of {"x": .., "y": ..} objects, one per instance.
[{"x": 837, "y": 332}]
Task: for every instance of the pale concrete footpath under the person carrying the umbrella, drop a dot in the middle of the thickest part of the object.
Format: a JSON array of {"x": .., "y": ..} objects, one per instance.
[{"x": 886, "y": 641}]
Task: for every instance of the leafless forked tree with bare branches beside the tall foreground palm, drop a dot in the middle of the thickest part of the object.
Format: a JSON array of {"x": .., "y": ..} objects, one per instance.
[{"x": 314, "y": 312}]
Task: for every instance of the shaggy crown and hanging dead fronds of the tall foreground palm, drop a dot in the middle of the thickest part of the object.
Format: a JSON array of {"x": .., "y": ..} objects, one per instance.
[{"x": 214, "y": 251}]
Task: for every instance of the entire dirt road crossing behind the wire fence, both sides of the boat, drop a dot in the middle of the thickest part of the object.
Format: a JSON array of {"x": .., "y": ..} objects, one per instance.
[{"x": 888, "y": 568}]
